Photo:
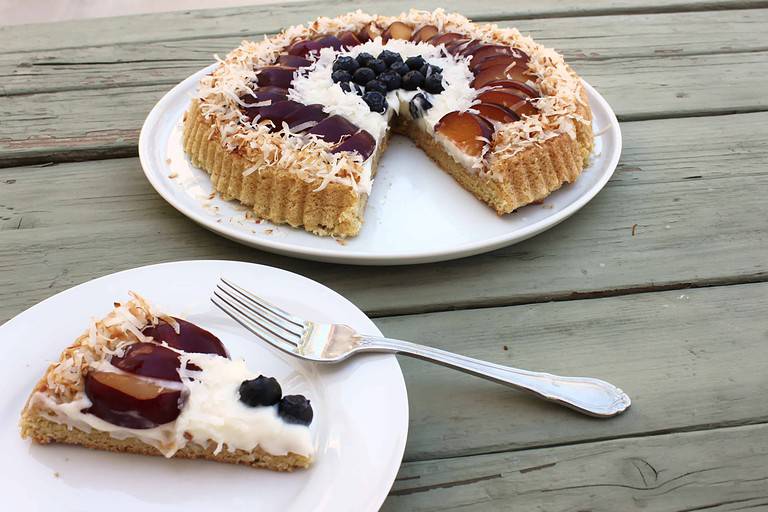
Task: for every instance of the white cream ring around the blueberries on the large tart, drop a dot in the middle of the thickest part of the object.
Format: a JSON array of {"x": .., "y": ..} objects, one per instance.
[{"x": 317, "y": 87}]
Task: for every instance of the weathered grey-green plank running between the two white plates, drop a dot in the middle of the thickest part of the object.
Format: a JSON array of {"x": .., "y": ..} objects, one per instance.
[{"x": 692, "y": 187}]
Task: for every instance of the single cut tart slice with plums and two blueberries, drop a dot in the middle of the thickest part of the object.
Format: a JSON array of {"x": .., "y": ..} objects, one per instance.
[{"x": 143, "y": 382}]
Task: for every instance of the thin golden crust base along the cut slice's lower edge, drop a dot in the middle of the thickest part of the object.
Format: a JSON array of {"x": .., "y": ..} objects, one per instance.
[{"x": 44, "y": 431}]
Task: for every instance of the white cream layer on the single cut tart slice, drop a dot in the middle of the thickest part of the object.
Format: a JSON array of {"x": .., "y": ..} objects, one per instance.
[{"x": 212, "y": 412}]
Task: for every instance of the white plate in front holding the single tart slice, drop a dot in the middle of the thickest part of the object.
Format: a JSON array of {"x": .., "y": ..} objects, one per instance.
[{"x": 361, "y": 408}]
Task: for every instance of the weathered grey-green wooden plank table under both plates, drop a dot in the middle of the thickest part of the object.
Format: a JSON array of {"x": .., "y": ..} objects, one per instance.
[{"x": 658, "y": 285}]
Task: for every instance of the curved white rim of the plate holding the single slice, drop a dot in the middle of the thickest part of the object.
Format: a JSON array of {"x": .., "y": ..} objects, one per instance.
[{"x": 398, "y": 381}]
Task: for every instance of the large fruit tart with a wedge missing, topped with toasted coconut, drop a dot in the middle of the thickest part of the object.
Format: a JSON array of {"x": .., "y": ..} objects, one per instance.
[{"x": 294, "y": 125}]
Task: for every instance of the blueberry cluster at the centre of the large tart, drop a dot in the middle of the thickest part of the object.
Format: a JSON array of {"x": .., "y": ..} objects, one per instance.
[{"x": 373, "y": 77}]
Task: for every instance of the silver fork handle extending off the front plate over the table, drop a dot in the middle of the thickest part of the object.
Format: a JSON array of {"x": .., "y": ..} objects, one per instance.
[{"x": 590, "y": 396}]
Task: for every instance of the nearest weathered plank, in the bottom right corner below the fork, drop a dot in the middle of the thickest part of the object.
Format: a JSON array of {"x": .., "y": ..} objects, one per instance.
[{"x": 720, "y": 470}]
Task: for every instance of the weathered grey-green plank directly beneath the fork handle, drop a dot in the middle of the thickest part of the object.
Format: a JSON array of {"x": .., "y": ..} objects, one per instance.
[{"x": 688, "y": 359}]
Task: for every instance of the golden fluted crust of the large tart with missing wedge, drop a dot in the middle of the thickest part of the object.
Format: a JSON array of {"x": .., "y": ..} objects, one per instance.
[{"x": 283, "y": 198}]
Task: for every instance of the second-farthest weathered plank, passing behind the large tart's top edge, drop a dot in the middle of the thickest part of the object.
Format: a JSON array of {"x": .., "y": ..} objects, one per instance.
[{"x": 585, "y": 38}]
